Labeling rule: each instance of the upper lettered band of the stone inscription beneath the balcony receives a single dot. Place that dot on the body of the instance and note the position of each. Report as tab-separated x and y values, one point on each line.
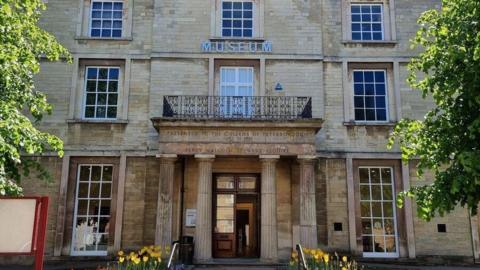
237	136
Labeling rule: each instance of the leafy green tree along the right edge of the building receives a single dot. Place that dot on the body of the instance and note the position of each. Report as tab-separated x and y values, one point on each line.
447	140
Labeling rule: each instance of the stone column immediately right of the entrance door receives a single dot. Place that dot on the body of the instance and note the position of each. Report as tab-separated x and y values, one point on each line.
269	237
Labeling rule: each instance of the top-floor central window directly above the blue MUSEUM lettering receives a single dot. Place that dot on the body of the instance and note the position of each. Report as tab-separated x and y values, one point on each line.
237	19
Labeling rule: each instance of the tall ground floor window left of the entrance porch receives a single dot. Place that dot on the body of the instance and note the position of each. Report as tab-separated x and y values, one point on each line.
93	197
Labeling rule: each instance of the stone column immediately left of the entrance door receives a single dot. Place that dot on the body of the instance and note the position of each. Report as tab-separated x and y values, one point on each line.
203	229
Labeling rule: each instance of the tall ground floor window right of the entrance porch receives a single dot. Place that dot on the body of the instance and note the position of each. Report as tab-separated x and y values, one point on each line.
378	217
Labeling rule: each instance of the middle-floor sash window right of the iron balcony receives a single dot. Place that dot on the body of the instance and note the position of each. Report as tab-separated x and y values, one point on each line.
370	95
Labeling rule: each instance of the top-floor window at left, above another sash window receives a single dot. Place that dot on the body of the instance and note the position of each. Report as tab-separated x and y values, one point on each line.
106	19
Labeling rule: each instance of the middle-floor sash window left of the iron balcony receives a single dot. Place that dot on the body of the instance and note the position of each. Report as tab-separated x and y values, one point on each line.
101	92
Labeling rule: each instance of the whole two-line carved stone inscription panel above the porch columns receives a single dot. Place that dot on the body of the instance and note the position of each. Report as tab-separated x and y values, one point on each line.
237	141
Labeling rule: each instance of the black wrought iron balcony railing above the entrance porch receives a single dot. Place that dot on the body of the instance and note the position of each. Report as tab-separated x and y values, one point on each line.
238	107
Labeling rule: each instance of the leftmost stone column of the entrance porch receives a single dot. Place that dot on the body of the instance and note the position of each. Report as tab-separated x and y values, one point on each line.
163	230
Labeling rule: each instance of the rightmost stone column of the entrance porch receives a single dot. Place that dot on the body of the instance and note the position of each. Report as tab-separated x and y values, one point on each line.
308	214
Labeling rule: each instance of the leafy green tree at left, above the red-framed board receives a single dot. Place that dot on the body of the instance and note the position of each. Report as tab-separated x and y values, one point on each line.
22	45
